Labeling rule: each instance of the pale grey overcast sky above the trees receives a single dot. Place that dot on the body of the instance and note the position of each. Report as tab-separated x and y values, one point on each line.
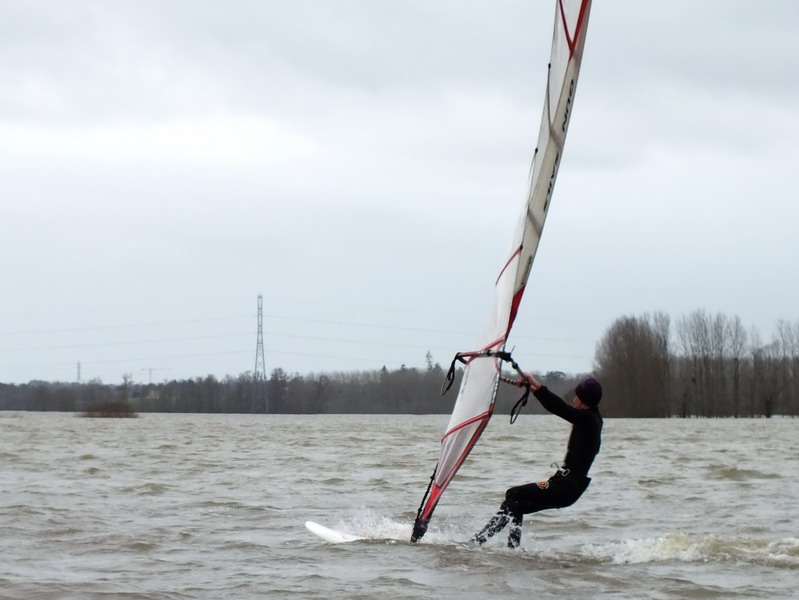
362	164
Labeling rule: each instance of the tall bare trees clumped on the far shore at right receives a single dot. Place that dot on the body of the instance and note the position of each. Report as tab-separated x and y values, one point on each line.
706	365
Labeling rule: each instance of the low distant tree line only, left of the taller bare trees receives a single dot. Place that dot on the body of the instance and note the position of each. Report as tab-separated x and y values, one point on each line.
399	391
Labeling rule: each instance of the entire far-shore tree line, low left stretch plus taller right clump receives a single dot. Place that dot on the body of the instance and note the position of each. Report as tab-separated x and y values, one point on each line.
704	365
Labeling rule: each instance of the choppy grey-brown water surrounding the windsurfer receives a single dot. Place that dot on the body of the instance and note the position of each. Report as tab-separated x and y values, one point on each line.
213	506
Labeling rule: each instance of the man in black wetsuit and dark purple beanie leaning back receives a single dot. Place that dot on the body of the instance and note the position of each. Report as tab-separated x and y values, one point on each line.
570	480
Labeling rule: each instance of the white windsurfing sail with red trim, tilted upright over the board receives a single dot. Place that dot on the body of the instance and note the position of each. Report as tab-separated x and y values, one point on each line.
481	375
